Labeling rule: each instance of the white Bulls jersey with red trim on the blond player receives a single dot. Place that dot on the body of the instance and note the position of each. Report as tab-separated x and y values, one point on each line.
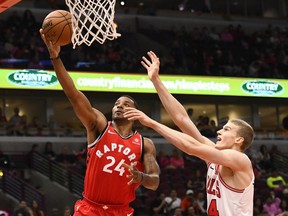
223	200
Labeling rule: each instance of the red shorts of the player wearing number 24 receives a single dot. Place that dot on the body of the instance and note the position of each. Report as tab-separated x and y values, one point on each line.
85	208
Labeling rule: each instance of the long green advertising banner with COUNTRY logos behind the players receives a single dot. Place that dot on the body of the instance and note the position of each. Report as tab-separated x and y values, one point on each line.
113	82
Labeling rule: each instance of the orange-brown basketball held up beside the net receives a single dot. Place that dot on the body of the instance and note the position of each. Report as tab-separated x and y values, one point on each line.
57	27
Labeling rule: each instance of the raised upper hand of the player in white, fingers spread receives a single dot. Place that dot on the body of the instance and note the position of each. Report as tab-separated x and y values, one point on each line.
152	65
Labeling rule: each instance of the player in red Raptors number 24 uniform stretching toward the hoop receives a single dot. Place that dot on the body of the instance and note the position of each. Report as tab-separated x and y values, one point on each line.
112	147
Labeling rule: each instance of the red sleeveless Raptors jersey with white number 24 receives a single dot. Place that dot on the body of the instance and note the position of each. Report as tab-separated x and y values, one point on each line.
105	180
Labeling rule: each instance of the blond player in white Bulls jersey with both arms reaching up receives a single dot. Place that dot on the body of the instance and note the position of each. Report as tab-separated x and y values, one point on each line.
230	178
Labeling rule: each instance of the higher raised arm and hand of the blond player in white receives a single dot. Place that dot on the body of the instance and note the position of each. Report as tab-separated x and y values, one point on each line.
174	108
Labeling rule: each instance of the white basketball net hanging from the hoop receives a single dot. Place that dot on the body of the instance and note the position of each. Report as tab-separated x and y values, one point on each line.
92	20
